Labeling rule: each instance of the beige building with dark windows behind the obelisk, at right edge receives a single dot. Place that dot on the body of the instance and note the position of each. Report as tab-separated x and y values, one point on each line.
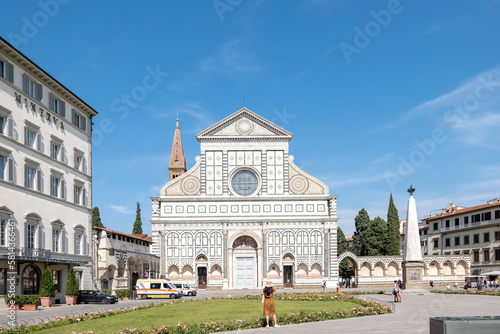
473	231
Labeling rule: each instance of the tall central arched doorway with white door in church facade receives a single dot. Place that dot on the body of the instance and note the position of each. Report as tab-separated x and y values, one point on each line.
245	258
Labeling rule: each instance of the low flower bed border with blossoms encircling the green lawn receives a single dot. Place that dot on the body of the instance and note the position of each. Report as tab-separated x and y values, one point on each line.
365	308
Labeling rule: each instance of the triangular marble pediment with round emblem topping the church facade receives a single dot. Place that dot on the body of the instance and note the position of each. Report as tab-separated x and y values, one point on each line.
244	124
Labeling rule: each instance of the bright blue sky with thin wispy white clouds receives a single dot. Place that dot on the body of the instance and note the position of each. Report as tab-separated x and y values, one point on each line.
379	95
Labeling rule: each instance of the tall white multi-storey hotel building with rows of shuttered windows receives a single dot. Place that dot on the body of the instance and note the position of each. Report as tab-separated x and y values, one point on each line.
45	177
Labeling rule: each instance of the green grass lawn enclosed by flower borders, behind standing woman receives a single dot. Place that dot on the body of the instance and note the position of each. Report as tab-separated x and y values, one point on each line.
197	311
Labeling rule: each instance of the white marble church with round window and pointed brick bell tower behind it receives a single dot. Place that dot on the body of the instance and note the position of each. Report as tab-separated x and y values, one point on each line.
244	213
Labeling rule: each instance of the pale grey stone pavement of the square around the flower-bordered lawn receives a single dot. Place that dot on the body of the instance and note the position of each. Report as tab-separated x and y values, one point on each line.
411	316
